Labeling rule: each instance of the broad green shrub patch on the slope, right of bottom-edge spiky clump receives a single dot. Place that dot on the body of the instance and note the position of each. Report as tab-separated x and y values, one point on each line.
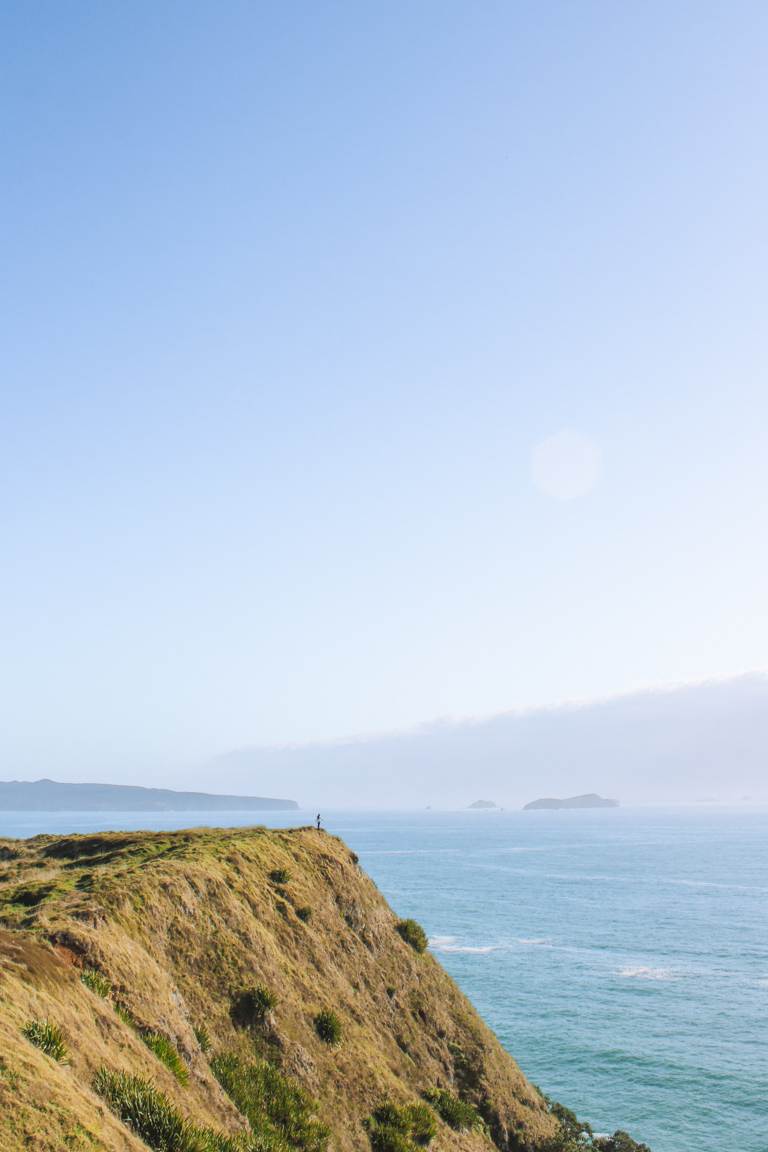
273	1104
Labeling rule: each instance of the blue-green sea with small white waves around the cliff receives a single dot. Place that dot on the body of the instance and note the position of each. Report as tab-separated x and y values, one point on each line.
621	956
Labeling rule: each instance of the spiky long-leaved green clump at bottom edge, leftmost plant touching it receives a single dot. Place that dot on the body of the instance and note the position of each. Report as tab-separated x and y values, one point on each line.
156	1120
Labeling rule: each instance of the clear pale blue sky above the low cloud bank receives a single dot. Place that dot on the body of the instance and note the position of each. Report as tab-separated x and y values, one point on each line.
368	363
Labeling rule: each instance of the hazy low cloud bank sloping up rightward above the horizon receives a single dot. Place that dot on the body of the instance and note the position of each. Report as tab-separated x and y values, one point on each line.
699	742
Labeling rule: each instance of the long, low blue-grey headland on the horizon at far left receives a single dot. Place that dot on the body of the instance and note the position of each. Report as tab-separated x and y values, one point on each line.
54	797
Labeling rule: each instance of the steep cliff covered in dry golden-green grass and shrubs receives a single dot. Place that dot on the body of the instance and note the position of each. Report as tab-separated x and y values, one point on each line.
235	991
